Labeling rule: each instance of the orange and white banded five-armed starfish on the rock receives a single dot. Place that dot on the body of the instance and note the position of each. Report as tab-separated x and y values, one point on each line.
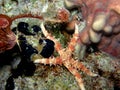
65	57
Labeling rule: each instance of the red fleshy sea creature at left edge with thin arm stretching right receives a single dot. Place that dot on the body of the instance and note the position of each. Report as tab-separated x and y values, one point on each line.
8	38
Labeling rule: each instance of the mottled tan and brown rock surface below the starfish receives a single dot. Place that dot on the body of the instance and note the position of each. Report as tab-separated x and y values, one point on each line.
59	78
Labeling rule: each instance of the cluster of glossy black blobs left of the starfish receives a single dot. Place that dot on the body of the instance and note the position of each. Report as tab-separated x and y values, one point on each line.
25	51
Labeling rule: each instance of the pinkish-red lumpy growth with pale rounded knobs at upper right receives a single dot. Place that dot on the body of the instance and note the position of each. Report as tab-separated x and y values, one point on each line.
102	20
